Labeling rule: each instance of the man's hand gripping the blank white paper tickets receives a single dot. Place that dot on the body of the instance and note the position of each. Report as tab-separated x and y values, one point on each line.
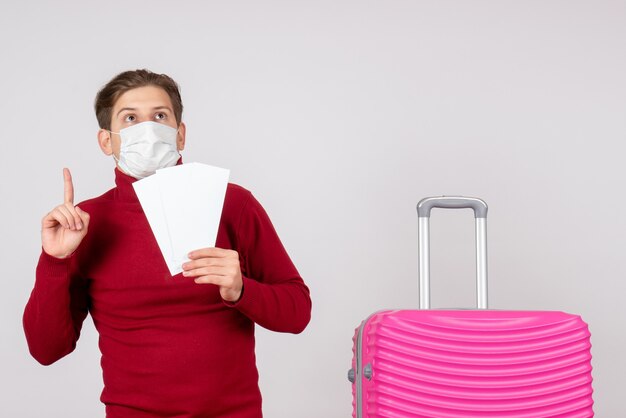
219	267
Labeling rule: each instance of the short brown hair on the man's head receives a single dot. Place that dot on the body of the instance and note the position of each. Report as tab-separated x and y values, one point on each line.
128	80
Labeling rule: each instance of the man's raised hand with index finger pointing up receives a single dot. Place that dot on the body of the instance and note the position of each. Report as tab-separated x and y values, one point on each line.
65	226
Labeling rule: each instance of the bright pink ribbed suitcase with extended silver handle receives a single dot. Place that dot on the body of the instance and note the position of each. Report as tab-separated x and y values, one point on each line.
470	363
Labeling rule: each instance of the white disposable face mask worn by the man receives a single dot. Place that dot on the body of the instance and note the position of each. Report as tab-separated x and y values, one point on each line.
147	147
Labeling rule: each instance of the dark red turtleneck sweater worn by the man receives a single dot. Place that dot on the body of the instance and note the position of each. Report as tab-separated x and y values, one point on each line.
170	347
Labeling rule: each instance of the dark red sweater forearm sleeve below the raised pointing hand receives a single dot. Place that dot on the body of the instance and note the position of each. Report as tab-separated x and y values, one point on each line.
56	309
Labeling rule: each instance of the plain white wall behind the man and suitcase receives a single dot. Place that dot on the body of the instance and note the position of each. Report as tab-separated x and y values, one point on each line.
340	116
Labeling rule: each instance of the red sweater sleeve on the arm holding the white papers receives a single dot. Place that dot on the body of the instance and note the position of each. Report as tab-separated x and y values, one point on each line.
274	294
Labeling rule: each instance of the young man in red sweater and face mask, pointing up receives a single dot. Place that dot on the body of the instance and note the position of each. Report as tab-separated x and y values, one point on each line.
179	346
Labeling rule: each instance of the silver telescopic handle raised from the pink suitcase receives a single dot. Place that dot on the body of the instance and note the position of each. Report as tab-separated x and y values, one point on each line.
423	230
